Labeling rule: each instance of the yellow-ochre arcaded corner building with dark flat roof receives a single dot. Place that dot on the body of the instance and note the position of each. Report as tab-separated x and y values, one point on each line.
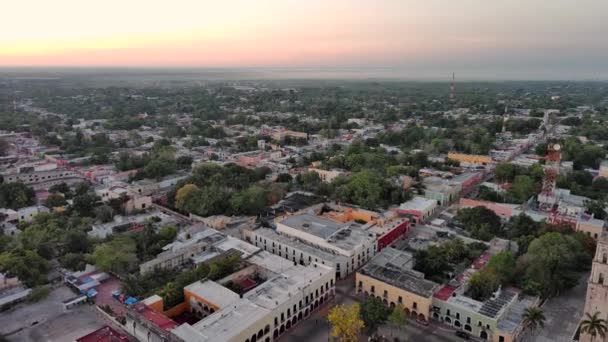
389	277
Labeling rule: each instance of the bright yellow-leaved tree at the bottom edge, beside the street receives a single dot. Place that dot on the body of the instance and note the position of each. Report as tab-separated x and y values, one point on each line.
346	322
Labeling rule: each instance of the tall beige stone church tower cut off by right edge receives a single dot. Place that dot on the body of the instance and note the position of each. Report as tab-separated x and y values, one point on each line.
597	288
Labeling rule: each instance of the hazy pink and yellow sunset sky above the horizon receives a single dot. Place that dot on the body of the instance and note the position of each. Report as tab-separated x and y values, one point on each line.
479	38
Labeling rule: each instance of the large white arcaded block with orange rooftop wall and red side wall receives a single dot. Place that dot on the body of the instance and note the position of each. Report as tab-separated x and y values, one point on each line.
325	230
